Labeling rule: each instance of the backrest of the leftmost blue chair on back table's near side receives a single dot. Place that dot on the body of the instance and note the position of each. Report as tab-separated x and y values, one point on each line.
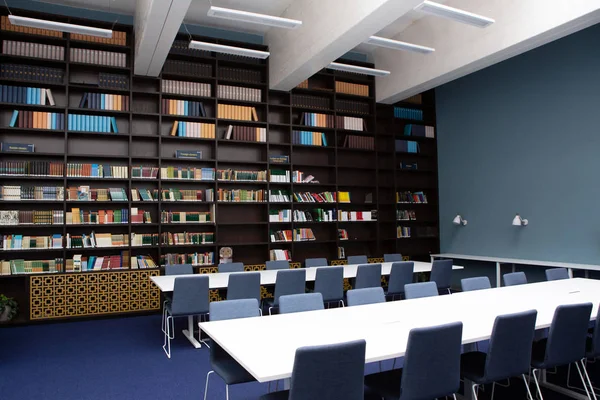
190	295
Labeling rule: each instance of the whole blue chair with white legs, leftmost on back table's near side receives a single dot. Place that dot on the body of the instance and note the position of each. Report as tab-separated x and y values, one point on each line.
190	298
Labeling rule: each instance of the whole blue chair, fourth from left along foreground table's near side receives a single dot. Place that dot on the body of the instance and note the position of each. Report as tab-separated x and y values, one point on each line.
566	343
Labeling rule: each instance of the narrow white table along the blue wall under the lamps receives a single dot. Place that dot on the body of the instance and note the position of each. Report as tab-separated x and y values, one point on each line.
515	261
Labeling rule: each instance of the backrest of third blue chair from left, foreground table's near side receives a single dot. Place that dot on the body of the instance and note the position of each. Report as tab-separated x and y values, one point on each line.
509	353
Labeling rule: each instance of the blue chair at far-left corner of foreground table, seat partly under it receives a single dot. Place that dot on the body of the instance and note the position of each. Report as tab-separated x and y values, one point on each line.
221	362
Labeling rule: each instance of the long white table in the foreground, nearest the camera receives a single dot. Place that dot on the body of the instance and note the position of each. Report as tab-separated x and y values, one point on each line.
267	346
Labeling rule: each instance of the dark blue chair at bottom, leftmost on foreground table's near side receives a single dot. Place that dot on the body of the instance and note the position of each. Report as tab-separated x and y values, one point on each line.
330	372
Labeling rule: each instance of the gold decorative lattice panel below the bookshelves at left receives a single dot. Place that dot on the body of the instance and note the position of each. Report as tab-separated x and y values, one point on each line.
92	294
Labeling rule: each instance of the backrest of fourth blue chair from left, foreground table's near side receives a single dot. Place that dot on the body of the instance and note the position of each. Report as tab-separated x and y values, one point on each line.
568	334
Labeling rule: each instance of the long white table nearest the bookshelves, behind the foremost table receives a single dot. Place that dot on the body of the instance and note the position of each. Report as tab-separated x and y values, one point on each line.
220	281
